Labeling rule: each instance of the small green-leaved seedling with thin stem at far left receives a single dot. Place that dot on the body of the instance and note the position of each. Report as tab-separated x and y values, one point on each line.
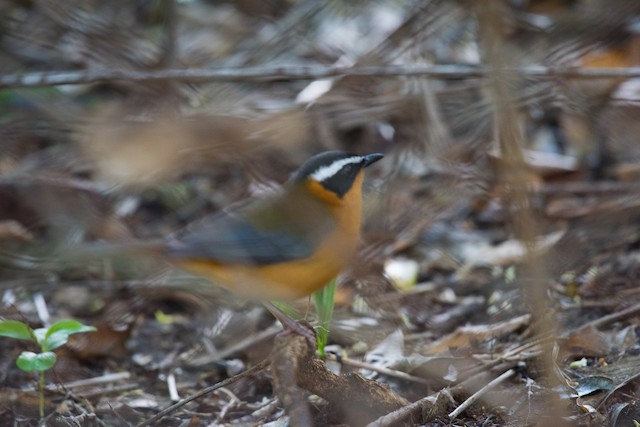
48	339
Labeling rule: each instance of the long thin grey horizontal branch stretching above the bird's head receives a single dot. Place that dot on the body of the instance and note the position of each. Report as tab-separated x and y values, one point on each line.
444	72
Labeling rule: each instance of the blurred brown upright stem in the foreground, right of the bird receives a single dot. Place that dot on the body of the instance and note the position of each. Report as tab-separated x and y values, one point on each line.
510	137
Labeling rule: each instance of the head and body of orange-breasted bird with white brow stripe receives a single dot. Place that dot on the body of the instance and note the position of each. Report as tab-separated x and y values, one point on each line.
286	245
